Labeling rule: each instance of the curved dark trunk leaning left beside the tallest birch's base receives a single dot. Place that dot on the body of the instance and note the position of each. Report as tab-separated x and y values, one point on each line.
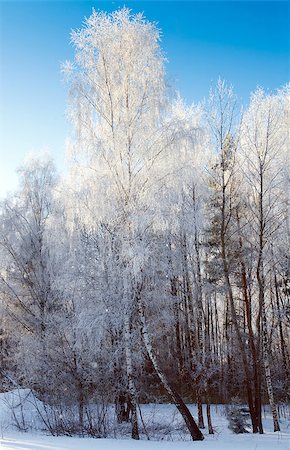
195	432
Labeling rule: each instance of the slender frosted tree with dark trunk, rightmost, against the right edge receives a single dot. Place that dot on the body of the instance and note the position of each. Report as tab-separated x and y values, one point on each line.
263	141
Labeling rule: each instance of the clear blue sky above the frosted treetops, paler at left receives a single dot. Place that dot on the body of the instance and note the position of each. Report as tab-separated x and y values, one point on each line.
245	42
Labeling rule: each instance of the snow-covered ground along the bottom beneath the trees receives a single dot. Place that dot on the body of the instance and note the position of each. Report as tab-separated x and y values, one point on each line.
156	417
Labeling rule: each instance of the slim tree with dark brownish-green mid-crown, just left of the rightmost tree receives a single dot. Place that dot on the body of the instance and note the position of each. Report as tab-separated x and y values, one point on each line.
224	244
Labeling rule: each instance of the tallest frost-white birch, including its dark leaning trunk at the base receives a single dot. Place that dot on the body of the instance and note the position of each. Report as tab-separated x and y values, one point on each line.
123	135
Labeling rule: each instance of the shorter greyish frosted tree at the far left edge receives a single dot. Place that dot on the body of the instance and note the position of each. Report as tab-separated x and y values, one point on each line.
27	274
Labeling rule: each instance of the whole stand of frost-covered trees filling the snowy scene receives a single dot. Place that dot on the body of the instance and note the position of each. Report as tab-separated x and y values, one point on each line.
156	269
